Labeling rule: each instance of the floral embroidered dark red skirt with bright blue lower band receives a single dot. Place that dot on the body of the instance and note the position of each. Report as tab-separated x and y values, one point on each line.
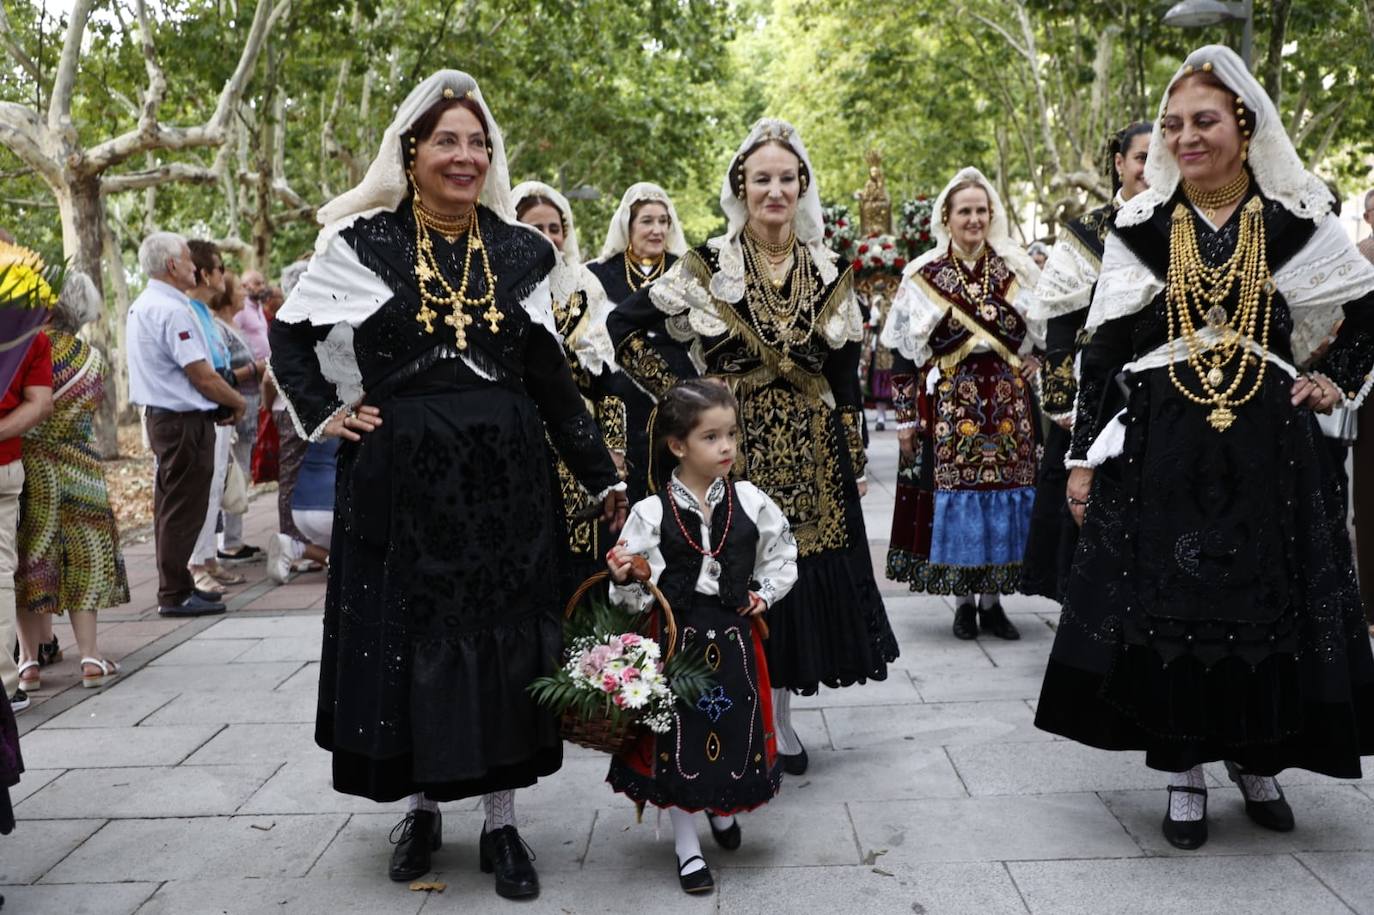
965	497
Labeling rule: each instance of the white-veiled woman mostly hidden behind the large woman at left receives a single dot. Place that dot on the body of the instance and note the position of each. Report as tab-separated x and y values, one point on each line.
581	308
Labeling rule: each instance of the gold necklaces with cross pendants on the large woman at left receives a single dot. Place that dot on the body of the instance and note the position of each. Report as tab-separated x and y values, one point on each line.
436	292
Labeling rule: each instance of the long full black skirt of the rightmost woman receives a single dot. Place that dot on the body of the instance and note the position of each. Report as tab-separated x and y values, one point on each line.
1213	611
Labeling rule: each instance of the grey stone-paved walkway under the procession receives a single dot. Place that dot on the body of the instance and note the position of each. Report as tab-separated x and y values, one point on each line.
193	785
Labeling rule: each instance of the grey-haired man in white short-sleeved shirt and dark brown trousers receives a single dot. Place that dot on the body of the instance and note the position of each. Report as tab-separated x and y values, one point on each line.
172	377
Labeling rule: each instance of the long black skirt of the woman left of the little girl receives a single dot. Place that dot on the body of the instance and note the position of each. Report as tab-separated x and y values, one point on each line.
442	608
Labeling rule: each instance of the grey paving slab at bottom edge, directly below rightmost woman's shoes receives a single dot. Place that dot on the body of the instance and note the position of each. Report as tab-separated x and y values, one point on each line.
1273	885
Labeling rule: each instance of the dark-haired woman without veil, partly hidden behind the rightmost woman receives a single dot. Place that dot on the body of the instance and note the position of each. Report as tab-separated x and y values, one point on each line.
1061	302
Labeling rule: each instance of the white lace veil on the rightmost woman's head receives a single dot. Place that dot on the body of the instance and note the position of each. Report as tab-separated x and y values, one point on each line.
1273	160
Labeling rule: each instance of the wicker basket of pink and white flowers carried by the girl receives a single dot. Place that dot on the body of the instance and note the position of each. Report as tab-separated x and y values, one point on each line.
615	681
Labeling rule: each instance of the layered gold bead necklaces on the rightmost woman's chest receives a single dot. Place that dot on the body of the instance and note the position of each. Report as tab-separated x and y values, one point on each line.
1196	296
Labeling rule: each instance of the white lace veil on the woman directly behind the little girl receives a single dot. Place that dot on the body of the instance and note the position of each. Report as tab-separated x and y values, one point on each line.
729	282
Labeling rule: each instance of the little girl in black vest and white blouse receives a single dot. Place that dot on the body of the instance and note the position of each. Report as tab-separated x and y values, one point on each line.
722	553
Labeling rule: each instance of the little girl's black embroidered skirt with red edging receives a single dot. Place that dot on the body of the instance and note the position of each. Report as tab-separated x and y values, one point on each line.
721	755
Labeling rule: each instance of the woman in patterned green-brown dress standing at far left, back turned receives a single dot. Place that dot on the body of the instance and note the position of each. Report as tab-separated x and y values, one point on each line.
69	543
